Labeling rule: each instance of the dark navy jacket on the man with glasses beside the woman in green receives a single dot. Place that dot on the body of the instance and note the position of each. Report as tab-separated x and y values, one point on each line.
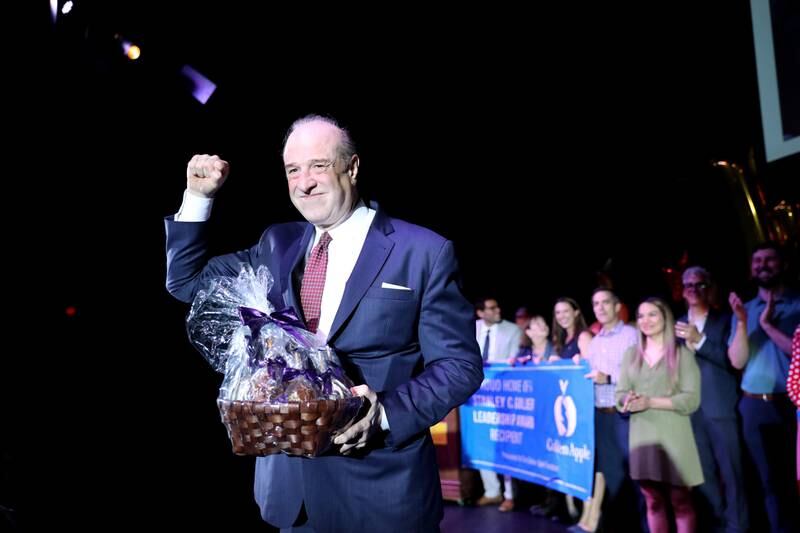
720	390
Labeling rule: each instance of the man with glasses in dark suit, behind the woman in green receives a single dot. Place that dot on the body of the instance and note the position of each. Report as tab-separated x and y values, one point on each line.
715	424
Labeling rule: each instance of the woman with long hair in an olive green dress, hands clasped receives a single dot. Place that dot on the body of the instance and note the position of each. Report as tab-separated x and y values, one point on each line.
660	385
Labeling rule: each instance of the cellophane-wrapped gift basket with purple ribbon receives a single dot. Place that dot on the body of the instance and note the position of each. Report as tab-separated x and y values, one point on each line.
283	390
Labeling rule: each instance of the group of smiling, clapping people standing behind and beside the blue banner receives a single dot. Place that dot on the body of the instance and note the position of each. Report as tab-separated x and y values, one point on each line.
675	400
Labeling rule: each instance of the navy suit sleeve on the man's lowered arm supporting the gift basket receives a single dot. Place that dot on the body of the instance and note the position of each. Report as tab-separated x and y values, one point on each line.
453	366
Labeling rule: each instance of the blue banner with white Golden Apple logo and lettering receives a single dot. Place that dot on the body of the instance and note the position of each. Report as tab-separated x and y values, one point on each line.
533	422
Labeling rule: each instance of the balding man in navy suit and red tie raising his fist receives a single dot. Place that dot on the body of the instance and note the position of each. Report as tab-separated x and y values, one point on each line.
392	309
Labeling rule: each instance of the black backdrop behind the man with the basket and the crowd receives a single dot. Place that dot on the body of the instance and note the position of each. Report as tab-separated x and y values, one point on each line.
542	144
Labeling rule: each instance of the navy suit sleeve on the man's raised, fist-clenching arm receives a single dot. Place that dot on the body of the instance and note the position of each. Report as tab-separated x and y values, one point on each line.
188	263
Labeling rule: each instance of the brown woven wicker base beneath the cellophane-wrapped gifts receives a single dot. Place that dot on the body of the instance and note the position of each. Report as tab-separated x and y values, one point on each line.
295	428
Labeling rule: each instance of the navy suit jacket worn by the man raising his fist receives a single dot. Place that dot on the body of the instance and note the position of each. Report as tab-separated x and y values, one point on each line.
415	348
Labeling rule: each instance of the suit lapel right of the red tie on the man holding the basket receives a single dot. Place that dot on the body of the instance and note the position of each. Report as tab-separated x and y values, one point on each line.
370	261
